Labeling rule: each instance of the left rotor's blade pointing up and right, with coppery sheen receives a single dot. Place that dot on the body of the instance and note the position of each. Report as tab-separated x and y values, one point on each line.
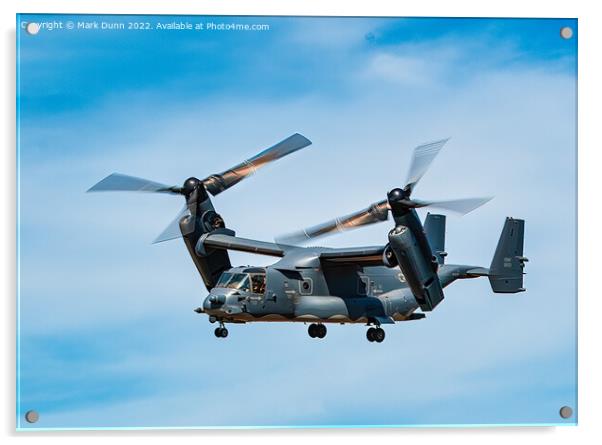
218	183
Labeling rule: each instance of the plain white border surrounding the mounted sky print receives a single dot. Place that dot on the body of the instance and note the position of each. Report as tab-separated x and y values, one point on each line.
590	30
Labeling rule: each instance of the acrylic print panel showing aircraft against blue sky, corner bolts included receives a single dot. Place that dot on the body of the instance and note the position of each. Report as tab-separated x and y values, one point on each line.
108	335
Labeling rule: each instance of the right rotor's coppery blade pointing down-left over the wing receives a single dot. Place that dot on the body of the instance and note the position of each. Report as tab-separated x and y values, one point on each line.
375	213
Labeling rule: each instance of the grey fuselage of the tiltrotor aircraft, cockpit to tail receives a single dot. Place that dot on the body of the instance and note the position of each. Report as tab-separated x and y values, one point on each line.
300	288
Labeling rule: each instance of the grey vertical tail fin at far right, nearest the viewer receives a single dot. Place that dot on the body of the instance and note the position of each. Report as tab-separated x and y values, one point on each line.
506	270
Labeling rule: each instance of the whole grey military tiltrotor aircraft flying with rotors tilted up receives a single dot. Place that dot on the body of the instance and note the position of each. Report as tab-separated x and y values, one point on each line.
318	285
